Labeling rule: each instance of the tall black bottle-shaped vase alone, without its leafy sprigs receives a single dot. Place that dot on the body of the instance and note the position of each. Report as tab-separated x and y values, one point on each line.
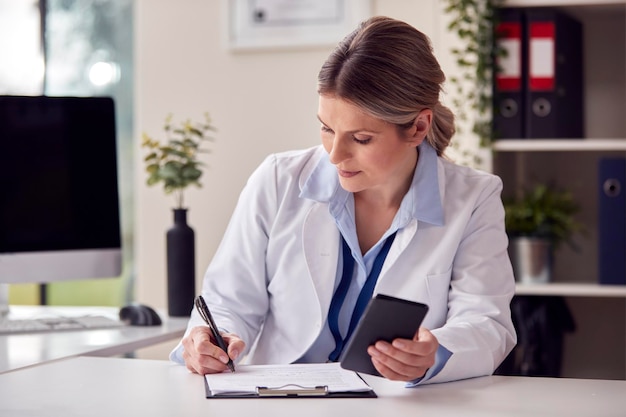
181	264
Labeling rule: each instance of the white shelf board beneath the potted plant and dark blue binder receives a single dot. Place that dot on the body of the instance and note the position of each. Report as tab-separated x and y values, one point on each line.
572	290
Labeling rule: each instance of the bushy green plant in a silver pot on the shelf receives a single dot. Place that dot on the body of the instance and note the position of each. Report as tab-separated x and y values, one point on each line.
537	223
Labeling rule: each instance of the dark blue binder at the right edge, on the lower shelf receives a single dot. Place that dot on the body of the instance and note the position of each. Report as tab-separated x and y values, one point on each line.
612	221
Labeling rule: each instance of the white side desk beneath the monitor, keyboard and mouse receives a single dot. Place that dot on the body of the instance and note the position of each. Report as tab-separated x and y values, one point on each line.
21	350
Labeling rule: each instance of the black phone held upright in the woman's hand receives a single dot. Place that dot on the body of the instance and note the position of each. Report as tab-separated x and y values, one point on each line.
384	318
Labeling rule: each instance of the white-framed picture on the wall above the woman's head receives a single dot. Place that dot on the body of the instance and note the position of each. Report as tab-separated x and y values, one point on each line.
254	24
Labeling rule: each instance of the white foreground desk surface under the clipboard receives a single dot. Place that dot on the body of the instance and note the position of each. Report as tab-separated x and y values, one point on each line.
91	386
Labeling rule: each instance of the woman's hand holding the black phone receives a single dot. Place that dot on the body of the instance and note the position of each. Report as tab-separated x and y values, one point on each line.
405	359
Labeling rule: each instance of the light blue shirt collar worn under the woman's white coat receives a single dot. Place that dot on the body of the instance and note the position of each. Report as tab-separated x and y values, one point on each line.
423	200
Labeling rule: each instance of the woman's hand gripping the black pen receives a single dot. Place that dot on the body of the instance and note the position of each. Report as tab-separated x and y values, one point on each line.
202	355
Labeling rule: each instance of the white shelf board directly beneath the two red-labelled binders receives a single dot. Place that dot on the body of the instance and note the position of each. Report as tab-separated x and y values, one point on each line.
560	145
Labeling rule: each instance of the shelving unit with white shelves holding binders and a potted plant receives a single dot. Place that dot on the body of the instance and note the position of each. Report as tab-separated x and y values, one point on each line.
597	349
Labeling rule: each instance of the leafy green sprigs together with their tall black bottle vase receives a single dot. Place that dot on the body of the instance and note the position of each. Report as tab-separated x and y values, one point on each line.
175	164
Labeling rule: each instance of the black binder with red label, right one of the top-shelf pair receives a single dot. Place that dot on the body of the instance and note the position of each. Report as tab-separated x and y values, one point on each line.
554	83
